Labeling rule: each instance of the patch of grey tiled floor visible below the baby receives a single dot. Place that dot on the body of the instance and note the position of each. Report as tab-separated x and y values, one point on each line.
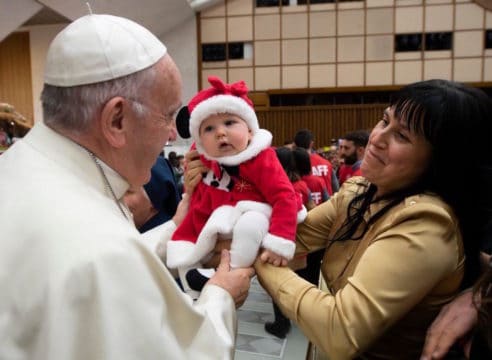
253	342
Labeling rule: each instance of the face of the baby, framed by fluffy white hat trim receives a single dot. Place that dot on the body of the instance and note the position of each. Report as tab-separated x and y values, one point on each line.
224	135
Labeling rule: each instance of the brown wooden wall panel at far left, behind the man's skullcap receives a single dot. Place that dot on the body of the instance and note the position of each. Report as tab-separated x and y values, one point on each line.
15	73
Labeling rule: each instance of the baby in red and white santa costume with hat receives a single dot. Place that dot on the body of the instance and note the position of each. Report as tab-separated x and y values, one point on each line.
245	196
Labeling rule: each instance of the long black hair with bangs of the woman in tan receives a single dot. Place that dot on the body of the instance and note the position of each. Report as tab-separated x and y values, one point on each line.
456	120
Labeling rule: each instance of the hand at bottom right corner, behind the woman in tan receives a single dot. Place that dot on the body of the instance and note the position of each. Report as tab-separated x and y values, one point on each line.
453	323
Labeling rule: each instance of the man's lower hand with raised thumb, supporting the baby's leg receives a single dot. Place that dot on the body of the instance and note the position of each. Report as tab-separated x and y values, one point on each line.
235	281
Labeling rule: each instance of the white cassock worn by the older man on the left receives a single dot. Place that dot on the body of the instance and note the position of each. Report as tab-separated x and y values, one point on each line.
77	280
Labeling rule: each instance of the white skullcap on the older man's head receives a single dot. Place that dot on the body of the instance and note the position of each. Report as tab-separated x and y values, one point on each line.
97	48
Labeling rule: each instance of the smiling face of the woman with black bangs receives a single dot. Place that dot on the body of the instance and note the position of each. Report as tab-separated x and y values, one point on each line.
395	157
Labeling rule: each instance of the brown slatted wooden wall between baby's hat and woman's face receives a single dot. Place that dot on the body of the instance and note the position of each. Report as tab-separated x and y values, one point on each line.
326	122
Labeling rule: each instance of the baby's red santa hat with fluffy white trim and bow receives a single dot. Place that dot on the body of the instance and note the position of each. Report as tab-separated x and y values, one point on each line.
222	98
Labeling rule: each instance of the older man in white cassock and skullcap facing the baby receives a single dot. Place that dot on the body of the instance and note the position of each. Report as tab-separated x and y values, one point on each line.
77	280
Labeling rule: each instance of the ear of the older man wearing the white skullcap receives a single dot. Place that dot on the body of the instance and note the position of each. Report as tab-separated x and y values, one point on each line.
113	121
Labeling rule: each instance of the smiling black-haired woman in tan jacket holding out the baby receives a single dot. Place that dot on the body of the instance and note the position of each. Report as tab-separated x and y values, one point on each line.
402	241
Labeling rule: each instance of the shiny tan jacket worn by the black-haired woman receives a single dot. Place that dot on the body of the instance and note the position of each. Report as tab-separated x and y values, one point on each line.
385	289
